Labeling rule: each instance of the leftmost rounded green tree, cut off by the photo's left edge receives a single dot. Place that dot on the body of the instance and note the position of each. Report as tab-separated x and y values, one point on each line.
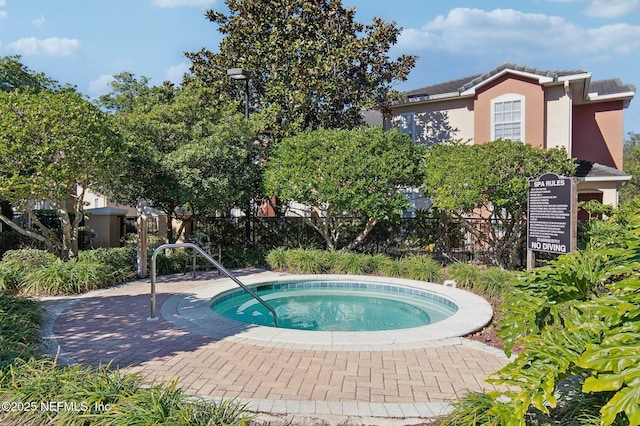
51	144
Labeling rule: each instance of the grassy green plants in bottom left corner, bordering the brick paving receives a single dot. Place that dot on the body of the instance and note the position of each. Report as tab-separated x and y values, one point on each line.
100	396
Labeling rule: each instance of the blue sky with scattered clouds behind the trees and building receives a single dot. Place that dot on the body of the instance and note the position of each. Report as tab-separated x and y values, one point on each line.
85	42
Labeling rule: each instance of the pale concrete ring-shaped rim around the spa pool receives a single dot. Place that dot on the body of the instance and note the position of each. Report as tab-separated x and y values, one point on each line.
190	311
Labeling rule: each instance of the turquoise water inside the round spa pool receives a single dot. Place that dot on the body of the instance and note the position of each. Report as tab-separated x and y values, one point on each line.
336	306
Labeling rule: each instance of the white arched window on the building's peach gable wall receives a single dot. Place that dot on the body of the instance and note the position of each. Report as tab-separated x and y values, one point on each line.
508	117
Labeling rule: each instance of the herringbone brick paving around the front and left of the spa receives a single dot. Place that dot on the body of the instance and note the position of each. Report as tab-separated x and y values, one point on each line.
377	386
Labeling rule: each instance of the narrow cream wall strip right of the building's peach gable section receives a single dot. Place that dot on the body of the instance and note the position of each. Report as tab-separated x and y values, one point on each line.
558	118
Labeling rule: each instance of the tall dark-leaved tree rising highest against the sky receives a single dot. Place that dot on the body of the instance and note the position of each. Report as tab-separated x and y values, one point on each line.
312	65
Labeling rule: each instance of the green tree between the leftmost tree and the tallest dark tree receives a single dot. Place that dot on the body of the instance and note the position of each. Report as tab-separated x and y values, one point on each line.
183	150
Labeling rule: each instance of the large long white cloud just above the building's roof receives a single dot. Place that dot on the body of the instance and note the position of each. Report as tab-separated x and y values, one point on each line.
508	34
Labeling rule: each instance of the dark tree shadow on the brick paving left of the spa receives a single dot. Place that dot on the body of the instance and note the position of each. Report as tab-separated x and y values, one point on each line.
114	328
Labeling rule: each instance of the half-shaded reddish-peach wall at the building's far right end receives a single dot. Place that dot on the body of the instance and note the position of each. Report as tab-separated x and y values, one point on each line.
598	133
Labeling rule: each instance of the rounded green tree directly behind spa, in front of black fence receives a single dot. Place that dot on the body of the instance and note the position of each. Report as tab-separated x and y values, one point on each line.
345	174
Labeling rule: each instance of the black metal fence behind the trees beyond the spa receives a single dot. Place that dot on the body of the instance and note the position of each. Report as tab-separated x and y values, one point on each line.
444	238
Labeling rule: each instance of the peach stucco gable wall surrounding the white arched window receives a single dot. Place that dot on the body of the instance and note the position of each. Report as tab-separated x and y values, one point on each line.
534	107
